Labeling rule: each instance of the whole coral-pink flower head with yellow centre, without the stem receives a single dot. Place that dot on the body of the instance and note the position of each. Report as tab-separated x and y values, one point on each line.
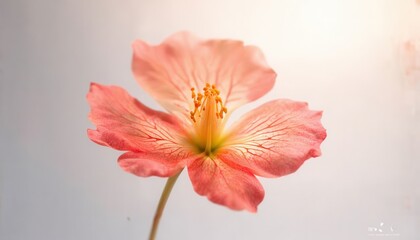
200	82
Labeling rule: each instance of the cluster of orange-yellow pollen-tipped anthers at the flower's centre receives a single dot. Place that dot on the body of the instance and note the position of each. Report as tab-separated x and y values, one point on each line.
200	100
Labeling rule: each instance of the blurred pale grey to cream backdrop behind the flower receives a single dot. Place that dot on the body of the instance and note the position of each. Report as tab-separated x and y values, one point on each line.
357	60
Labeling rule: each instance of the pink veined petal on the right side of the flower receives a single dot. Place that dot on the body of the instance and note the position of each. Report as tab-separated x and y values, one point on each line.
275	138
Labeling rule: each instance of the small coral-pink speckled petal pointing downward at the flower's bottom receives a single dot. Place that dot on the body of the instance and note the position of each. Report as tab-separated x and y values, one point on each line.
226	183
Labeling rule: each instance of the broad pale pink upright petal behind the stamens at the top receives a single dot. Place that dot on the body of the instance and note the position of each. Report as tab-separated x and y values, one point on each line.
169	70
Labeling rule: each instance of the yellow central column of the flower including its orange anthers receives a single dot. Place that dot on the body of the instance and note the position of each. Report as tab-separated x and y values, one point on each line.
207	118
